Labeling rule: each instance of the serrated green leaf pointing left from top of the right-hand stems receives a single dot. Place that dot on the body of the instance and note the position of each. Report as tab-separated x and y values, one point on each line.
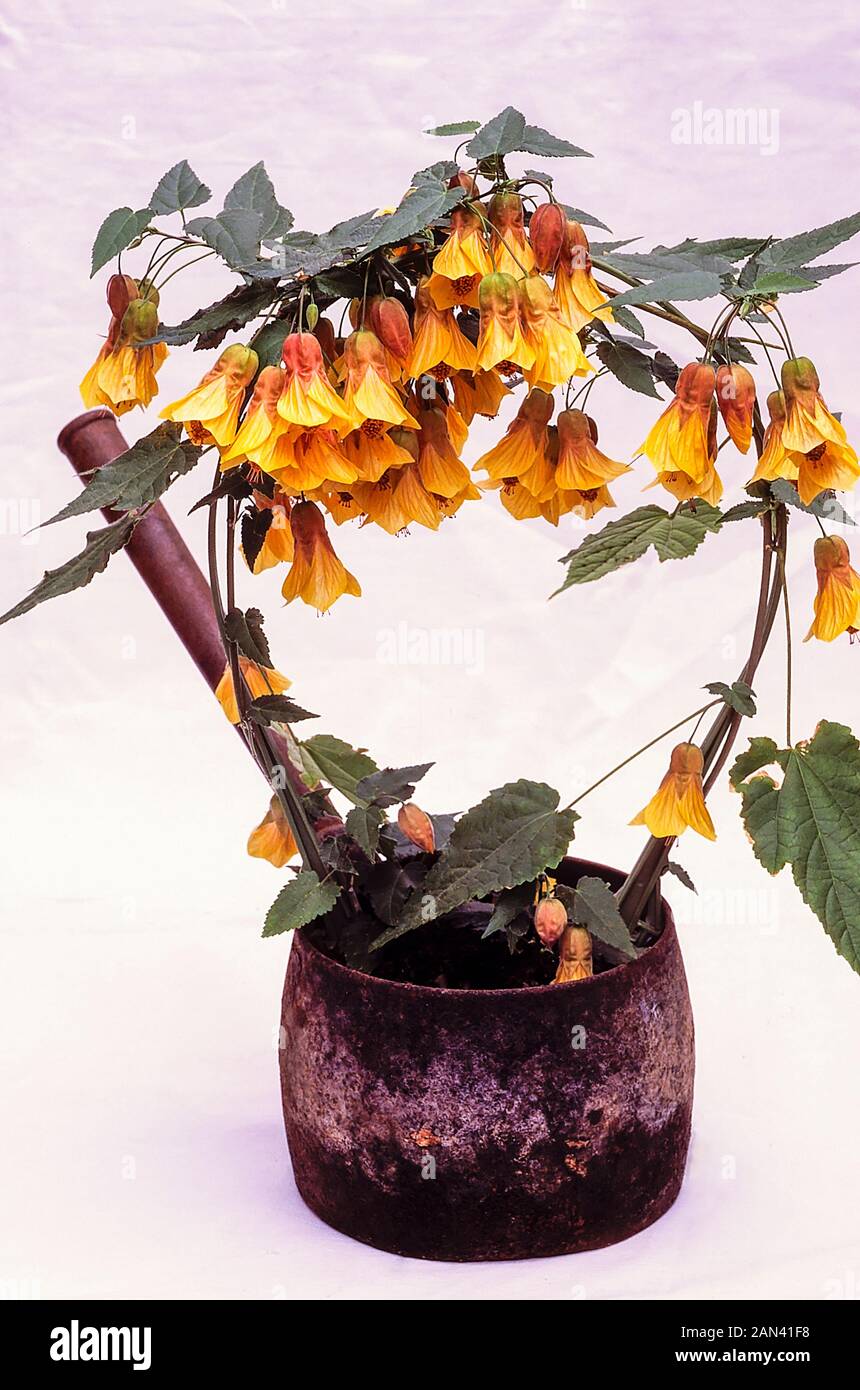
673	539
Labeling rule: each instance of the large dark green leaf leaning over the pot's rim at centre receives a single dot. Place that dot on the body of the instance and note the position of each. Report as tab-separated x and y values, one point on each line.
511	837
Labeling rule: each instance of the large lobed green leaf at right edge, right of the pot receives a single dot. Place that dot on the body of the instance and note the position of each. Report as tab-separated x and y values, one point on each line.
811	822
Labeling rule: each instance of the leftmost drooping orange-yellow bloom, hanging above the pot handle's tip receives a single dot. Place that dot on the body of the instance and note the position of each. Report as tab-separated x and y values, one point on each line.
124	375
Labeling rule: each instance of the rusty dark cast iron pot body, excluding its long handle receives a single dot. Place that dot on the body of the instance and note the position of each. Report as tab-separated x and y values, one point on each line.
490	1124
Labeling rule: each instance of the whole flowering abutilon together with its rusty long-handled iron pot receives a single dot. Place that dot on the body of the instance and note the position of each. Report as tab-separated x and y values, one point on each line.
487	1046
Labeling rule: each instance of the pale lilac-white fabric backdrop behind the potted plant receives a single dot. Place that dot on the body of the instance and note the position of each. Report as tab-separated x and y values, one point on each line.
144	1150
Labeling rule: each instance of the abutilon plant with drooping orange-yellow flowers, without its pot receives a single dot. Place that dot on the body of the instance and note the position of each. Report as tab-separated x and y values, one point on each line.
356	368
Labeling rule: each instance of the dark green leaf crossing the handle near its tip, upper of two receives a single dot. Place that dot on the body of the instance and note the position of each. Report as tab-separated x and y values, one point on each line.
138	476
